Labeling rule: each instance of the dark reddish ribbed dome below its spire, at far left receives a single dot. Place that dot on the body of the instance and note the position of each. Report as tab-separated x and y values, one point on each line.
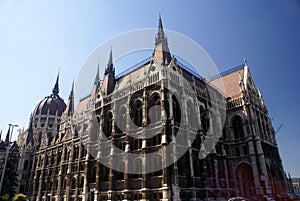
54	104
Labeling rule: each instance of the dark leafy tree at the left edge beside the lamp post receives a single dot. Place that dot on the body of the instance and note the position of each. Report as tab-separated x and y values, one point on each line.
10	177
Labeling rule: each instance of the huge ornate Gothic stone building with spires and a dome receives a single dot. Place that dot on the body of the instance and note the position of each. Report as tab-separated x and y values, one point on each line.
100	149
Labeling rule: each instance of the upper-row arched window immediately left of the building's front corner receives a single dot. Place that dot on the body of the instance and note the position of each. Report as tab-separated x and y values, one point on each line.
154	108
